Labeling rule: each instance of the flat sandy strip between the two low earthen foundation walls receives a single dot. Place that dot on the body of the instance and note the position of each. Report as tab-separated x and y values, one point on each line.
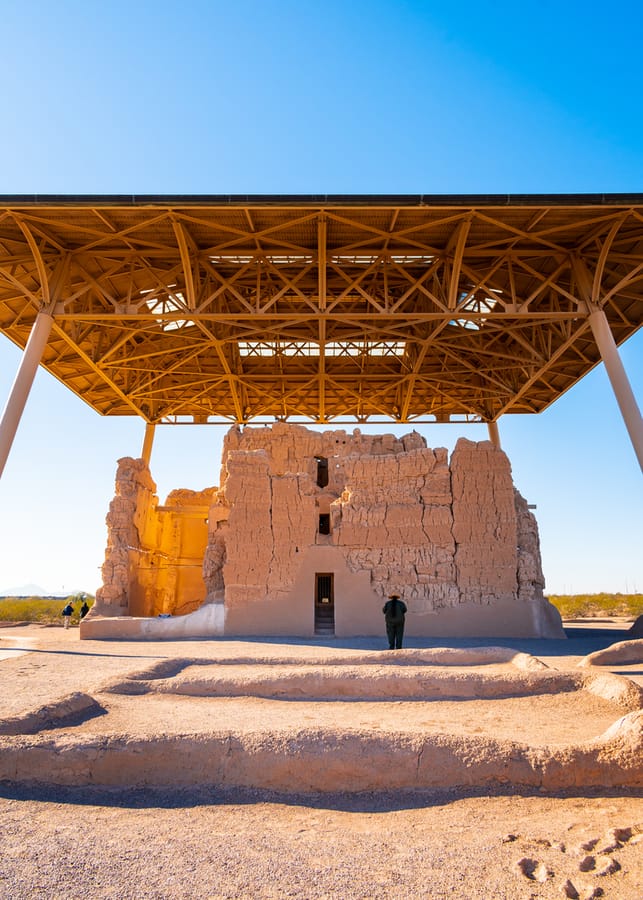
549	719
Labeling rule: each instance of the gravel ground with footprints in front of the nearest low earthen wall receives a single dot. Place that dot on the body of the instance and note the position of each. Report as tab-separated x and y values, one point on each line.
163	844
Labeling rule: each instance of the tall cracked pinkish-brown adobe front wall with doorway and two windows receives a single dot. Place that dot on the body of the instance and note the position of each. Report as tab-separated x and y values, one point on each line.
457	541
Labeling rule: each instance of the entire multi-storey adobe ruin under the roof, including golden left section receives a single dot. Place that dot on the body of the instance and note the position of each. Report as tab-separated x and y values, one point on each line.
310	531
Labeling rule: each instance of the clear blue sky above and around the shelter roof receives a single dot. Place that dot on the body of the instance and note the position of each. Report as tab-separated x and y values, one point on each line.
263	97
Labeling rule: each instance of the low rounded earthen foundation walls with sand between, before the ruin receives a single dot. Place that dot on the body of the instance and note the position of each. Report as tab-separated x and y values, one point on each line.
297	726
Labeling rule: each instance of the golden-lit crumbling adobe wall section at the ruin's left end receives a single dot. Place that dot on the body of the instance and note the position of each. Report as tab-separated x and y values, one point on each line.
154	556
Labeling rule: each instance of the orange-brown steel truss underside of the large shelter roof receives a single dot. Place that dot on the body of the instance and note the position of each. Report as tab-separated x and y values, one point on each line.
320	309
